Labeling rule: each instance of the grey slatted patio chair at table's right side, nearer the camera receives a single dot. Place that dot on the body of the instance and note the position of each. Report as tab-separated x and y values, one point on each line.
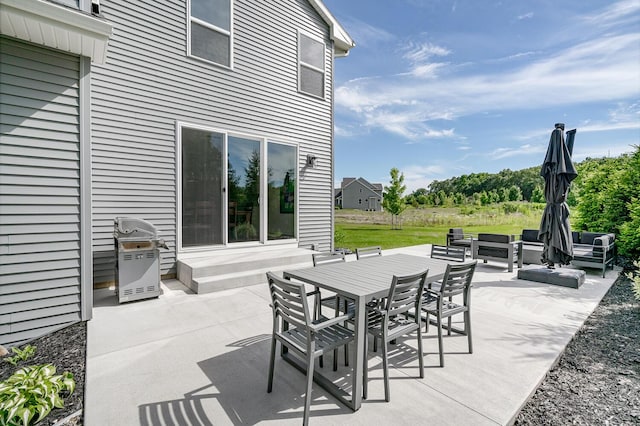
387	322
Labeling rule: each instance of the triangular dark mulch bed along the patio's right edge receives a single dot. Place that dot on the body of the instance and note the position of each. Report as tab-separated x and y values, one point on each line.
597	379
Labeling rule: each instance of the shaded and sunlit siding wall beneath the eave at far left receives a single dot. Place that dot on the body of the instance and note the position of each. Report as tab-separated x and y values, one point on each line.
40	191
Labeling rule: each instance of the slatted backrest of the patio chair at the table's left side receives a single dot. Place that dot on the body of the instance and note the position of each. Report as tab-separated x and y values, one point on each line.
288	301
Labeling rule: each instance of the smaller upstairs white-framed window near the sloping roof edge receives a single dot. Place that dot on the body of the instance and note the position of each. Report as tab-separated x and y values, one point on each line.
311	54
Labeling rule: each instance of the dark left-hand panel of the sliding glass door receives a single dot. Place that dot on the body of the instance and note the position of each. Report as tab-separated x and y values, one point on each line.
202	188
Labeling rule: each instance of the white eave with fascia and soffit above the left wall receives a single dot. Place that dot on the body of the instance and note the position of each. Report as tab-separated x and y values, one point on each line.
55	26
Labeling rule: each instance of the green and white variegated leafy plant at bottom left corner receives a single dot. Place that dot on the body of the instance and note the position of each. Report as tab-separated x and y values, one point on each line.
32	391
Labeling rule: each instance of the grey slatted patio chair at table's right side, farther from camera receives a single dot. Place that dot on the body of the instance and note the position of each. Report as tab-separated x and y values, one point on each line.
438	301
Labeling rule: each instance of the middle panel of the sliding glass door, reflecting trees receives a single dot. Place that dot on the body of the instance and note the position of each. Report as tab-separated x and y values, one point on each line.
243	175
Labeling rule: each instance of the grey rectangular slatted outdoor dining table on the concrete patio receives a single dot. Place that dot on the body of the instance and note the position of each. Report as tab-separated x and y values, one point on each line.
360	281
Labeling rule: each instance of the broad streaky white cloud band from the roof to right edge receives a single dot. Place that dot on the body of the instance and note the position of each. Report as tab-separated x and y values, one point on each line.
603	69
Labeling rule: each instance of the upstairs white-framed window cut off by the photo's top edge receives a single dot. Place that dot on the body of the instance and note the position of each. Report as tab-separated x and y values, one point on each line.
210	30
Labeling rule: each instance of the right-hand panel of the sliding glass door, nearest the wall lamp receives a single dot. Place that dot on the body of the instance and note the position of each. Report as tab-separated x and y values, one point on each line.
282	185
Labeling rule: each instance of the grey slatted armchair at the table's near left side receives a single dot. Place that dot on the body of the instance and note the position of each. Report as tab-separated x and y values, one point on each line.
307	338
